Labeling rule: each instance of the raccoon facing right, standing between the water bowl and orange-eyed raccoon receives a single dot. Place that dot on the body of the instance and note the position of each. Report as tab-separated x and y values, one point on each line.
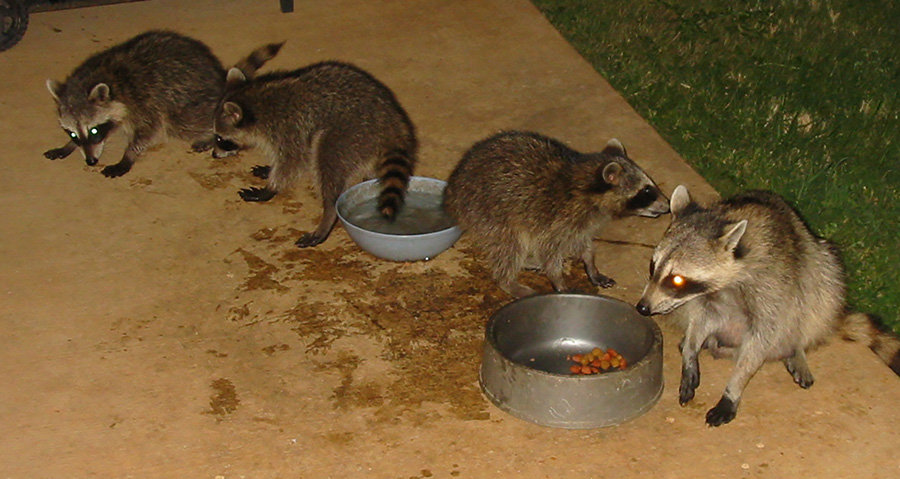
530	201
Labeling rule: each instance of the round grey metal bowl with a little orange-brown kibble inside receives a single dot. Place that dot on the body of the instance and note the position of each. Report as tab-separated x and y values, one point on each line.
525	371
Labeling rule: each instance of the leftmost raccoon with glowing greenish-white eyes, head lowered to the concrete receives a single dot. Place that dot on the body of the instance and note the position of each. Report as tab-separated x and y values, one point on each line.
157	84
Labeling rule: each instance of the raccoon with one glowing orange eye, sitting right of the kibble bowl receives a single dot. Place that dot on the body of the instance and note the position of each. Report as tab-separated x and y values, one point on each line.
747	279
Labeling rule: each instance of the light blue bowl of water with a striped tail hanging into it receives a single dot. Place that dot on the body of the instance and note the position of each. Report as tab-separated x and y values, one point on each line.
421	230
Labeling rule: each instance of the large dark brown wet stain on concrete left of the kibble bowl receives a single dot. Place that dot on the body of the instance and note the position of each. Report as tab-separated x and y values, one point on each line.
428	322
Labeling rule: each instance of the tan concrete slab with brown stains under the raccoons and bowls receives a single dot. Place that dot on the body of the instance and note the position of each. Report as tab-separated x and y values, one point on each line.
155	325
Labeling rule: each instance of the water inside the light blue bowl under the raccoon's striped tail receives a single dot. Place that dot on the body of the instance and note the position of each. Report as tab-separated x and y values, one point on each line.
421	213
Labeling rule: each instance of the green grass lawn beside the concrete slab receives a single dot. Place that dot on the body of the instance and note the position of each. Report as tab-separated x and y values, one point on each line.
799	97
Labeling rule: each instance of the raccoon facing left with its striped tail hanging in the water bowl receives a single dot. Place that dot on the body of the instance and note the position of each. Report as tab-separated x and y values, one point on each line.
332	120
